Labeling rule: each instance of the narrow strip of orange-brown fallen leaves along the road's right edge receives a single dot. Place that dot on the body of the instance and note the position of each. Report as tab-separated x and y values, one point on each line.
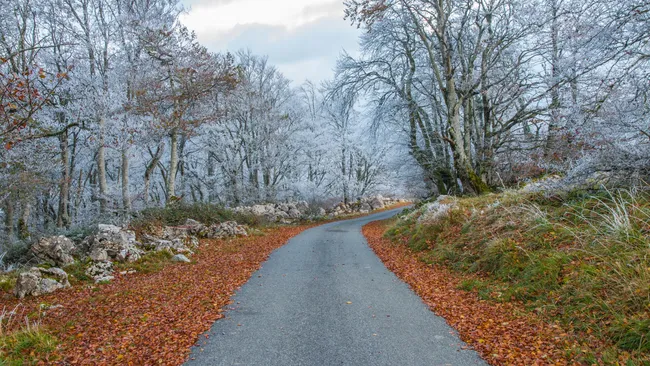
503	333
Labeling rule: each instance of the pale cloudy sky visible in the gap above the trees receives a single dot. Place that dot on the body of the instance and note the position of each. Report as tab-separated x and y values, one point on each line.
301	37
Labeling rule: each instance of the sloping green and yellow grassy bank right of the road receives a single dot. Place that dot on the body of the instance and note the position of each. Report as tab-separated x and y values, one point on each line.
582	258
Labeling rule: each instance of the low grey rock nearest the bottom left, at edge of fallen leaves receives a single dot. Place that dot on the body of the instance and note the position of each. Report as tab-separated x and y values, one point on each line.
40	281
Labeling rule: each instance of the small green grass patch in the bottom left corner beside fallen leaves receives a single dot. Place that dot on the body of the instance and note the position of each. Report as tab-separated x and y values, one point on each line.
20	344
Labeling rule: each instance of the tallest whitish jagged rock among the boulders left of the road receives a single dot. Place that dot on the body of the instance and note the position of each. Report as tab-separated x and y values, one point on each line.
112	243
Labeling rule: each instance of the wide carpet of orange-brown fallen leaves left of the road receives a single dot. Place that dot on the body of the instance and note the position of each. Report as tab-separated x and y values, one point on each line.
154	318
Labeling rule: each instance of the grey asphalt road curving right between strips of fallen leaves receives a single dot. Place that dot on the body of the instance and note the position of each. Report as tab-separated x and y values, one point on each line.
326	299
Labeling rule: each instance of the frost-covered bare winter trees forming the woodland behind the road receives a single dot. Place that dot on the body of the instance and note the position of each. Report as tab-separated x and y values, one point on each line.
111	106
